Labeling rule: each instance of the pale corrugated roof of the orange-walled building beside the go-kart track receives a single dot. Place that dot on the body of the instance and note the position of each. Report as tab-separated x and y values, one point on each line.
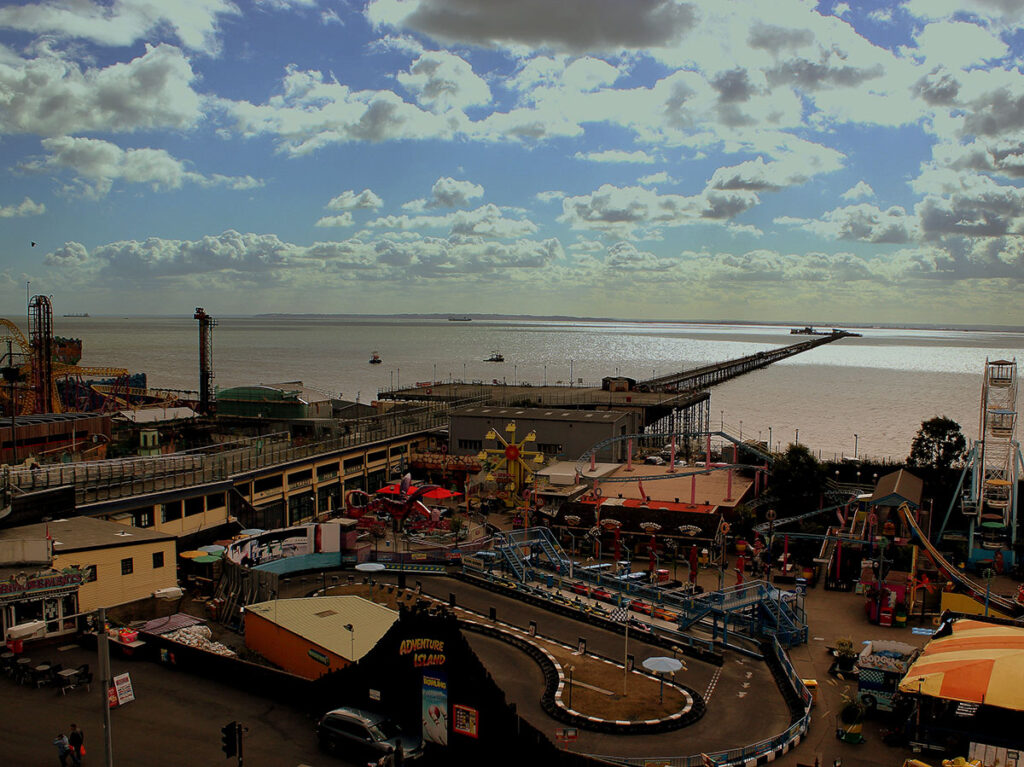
322	621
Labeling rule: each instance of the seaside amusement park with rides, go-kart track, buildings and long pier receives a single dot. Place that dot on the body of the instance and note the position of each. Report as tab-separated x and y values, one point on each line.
505	573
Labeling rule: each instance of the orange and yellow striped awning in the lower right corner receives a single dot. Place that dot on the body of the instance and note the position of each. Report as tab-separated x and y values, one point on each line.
977	662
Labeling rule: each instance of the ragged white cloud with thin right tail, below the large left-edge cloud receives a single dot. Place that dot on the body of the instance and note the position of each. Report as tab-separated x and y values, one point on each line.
98	164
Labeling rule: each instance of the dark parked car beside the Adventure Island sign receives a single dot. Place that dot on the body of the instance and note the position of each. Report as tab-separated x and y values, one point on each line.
364	736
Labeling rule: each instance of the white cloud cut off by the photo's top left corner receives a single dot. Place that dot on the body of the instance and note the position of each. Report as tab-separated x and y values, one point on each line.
123	23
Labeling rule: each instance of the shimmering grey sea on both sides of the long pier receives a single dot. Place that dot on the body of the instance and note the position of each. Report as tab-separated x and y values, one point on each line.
881	387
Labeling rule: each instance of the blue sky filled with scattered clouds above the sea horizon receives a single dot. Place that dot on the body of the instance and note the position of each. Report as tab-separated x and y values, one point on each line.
759	160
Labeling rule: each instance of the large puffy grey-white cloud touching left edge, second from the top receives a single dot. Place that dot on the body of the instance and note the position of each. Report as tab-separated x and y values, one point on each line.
51	96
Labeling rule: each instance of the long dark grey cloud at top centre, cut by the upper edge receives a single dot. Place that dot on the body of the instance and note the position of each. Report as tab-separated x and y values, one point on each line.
573	25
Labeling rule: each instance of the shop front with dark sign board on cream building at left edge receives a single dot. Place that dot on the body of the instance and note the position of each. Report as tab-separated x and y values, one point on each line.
50	596
